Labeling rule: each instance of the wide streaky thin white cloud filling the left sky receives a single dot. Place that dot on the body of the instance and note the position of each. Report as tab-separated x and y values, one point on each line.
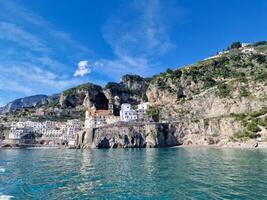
34	54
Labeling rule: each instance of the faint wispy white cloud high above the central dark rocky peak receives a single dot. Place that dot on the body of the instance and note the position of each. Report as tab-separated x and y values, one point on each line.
137	40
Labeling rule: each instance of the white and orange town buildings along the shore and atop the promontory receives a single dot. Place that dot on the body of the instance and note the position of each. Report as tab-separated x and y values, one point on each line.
67	130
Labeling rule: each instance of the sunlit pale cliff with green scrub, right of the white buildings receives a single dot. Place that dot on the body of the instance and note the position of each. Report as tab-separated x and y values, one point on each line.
219	91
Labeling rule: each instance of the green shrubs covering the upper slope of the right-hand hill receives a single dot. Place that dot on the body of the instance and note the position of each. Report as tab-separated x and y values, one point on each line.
233	66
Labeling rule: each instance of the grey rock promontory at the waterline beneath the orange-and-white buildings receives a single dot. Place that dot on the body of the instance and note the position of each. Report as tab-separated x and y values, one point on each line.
134	135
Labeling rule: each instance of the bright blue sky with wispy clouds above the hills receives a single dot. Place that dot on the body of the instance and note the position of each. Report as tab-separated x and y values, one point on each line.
47	46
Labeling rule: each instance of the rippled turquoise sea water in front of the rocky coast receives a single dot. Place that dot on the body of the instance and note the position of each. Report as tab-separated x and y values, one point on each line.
176	173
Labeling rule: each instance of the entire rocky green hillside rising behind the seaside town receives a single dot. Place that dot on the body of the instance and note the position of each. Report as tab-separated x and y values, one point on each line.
221	97
